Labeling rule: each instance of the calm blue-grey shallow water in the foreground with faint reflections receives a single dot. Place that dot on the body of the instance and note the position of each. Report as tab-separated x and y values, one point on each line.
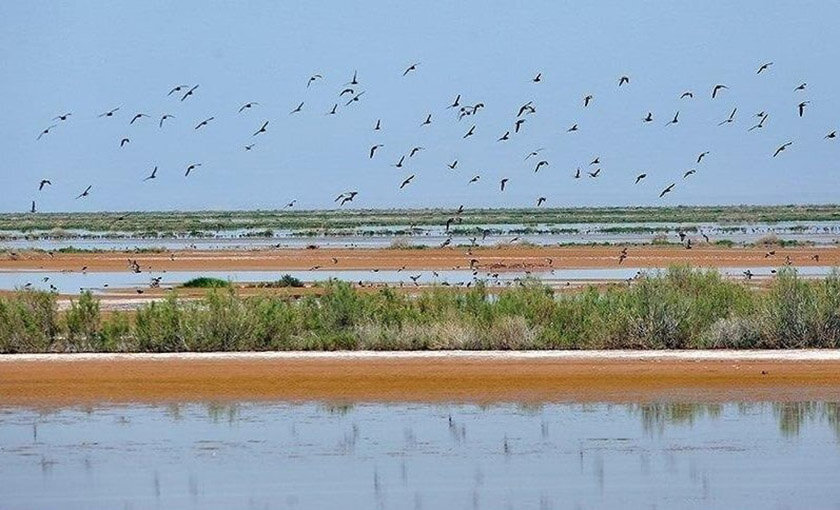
278	455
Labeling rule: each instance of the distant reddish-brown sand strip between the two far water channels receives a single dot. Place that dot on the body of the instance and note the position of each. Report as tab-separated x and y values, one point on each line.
504	258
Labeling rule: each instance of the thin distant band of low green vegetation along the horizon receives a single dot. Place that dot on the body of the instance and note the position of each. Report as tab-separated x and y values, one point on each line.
202	223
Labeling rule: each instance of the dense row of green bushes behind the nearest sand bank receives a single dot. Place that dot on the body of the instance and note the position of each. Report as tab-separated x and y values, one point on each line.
679	309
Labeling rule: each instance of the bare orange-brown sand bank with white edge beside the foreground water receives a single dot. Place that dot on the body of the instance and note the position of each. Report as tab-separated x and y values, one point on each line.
481	377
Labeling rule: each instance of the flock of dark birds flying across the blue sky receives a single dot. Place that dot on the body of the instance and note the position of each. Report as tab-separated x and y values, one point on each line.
352	93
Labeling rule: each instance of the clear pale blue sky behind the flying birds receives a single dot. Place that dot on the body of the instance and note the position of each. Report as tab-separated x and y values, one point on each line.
90	57
